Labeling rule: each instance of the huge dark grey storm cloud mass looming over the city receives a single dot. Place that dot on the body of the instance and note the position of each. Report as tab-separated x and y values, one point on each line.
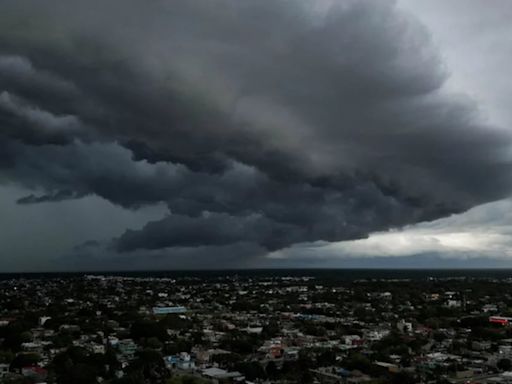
261	122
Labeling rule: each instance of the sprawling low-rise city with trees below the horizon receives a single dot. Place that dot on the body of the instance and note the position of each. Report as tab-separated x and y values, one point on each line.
255	328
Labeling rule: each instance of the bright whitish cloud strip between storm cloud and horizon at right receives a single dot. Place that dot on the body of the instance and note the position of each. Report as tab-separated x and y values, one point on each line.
480	237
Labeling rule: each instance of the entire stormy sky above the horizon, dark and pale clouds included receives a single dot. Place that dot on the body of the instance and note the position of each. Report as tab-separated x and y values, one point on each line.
255	134
